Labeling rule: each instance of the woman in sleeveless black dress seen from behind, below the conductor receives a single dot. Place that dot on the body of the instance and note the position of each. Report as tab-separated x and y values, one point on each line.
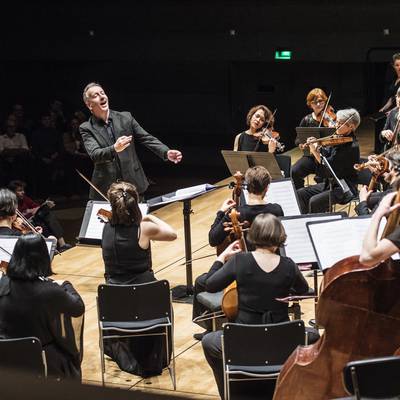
127	259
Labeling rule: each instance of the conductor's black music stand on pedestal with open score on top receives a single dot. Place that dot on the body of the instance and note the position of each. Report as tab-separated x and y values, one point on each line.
183	293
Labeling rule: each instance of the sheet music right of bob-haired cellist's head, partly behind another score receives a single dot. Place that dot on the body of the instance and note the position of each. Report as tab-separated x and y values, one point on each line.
298	244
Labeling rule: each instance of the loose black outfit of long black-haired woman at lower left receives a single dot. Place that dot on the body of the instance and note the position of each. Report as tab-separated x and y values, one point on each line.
52	313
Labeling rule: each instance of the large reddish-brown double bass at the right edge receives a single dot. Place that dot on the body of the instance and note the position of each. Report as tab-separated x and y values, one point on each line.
359	307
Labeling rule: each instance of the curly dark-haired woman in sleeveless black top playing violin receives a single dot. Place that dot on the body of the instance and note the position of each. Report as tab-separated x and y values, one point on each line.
252	139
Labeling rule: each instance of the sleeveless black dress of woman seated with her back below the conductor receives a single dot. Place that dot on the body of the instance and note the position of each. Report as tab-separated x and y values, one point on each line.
126	263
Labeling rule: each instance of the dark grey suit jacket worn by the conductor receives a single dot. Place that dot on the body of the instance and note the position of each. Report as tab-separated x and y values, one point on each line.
110	165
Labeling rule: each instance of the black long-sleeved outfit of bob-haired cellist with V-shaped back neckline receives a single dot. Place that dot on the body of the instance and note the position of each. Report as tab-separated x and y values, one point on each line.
257	291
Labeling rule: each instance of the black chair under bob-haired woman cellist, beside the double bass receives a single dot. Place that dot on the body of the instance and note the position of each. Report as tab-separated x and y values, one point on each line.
258	352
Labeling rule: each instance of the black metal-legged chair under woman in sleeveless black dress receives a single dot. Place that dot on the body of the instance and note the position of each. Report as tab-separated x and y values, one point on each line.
136	310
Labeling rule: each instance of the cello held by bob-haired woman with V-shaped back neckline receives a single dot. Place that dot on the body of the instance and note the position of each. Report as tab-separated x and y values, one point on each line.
230	301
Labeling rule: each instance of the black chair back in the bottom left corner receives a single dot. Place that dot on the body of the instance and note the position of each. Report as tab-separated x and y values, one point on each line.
23	354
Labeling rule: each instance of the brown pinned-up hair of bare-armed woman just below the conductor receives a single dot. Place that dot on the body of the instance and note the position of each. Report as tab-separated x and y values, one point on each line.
124	200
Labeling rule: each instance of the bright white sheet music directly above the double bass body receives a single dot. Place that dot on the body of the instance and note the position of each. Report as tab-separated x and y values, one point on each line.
336	240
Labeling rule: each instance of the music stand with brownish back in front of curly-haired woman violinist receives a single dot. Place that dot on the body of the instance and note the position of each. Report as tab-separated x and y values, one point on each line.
242	160
